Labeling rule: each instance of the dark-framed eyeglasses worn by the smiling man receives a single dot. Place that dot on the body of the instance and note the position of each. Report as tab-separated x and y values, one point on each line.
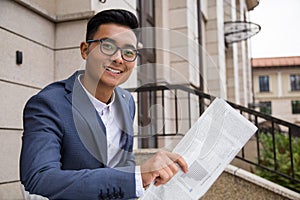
109	48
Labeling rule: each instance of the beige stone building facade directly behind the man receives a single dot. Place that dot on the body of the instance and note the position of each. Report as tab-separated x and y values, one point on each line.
183	44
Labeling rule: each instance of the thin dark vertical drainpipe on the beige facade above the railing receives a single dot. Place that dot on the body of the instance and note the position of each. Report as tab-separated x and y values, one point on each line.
201	82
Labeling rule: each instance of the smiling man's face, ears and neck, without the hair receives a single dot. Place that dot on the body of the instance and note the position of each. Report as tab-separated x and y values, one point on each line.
110	59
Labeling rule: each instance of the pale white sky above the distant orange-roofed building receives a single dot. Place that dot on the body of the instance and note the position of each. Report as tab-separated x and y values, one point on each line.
280	28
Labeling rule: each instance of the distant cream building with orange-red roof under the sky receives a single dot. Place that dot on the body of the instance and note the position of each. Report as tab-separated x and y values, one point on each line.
276	84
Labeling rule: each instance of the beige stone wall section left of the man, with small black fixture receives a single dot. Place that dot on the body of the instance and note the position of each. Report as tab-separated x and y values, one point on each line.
26	31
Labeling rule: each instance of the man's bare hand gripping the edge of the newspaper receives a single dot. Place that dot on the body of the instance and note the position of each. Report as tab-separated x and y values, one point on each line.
162	167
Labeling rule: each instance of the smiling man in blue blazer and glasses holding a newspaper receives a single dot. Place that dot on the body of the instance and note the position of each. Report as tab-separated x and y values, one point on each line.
78	133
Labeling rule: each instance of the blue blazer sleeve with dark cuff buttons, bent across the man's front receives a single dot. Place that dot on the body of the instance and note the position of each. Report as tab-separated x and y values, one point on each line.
40	165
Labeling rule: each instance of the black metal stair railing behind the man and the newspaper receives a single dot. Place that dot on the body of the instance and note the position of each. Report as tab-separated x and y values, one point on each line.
182	105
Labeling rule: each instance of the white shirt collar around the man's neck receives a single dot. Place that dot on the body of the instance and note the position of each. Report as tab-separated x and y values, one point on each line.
99	105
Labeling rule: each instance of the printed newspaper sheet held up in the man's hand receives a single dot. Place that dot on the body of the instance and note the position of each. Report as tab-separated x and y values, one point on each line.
208	147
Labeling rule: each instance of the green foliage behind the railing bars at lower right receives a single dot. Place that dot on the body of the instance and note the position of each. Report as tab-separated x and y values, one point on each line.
283	164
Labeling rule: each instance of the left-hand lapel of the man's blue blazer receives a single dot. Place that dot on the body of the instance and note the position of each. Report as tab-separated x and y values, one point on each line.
88	124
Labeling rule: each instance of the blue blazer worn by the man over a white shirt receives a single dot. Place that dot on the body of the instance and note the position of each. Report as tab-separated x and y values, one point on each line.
64	150
